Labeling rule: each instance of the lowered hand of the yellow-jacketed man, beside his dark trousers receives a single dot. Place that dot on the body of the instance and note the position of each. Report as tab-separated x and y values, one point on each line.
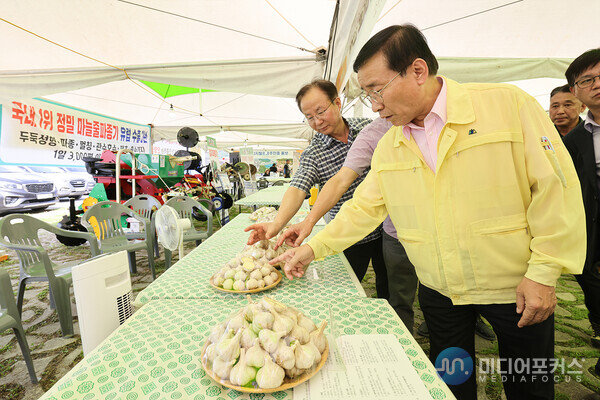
535	301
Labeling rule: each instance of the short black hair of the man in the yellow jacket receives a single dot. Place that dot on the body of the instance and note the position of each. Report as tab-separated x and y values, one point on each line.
401	45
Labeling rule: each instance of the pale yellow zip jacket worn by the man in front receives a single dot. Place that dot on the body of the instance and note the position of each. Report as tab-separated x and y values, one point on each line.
503	203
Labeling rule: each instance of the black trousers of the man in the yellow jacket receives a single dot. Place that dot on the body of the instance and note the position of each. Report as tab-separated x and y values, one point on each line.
453	326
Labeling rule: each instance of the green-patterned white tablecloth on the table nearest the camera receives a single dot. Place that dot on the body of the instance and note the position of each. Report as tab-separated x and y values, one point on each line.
155	354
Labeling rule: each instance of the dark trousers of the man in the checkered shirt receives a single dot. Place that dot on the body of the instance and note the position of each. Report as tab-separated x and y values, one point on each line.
359	256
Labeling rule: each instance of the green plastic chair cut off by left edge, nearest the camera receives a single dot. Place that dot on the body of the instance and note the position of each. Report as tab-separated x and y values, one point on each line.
10	318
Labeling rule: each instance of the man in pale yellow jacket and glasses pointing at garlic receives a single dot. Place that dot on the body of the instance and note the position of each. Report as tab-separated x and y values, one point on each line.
486	203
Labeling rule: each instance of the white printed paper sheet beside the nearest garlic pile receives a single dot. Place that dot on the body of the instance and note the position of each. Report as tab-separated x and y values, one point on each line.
364	367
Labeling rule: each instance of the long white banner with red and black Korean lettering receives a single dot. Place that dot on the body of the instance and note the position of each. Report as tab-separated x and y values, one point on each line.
47	133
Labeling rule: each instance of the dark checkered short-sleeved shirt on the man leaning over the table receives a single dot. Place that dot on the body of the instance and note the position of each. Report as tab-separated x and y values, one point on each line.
323	159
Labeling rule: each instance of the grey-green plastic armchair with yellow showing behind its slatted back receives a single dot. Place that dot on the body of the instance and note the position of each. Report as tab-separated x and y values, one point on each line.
105	219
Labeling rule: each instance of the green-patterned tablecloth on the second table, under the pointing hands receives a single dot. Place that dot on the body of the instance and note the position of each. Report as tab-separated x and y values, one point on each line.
189	277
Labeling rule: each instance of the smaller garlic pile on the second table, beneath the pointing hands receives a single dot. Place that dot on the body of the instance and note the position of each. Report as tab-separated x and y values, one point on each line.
245	272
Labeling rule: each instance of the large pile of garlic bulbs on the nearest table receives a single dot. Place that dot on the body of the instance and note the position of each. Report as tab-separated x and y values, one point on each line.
258	346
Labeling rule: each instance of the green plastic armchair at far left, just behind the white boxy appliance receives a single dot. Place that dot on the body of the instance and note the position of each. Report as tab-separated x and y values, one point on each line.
20	232
